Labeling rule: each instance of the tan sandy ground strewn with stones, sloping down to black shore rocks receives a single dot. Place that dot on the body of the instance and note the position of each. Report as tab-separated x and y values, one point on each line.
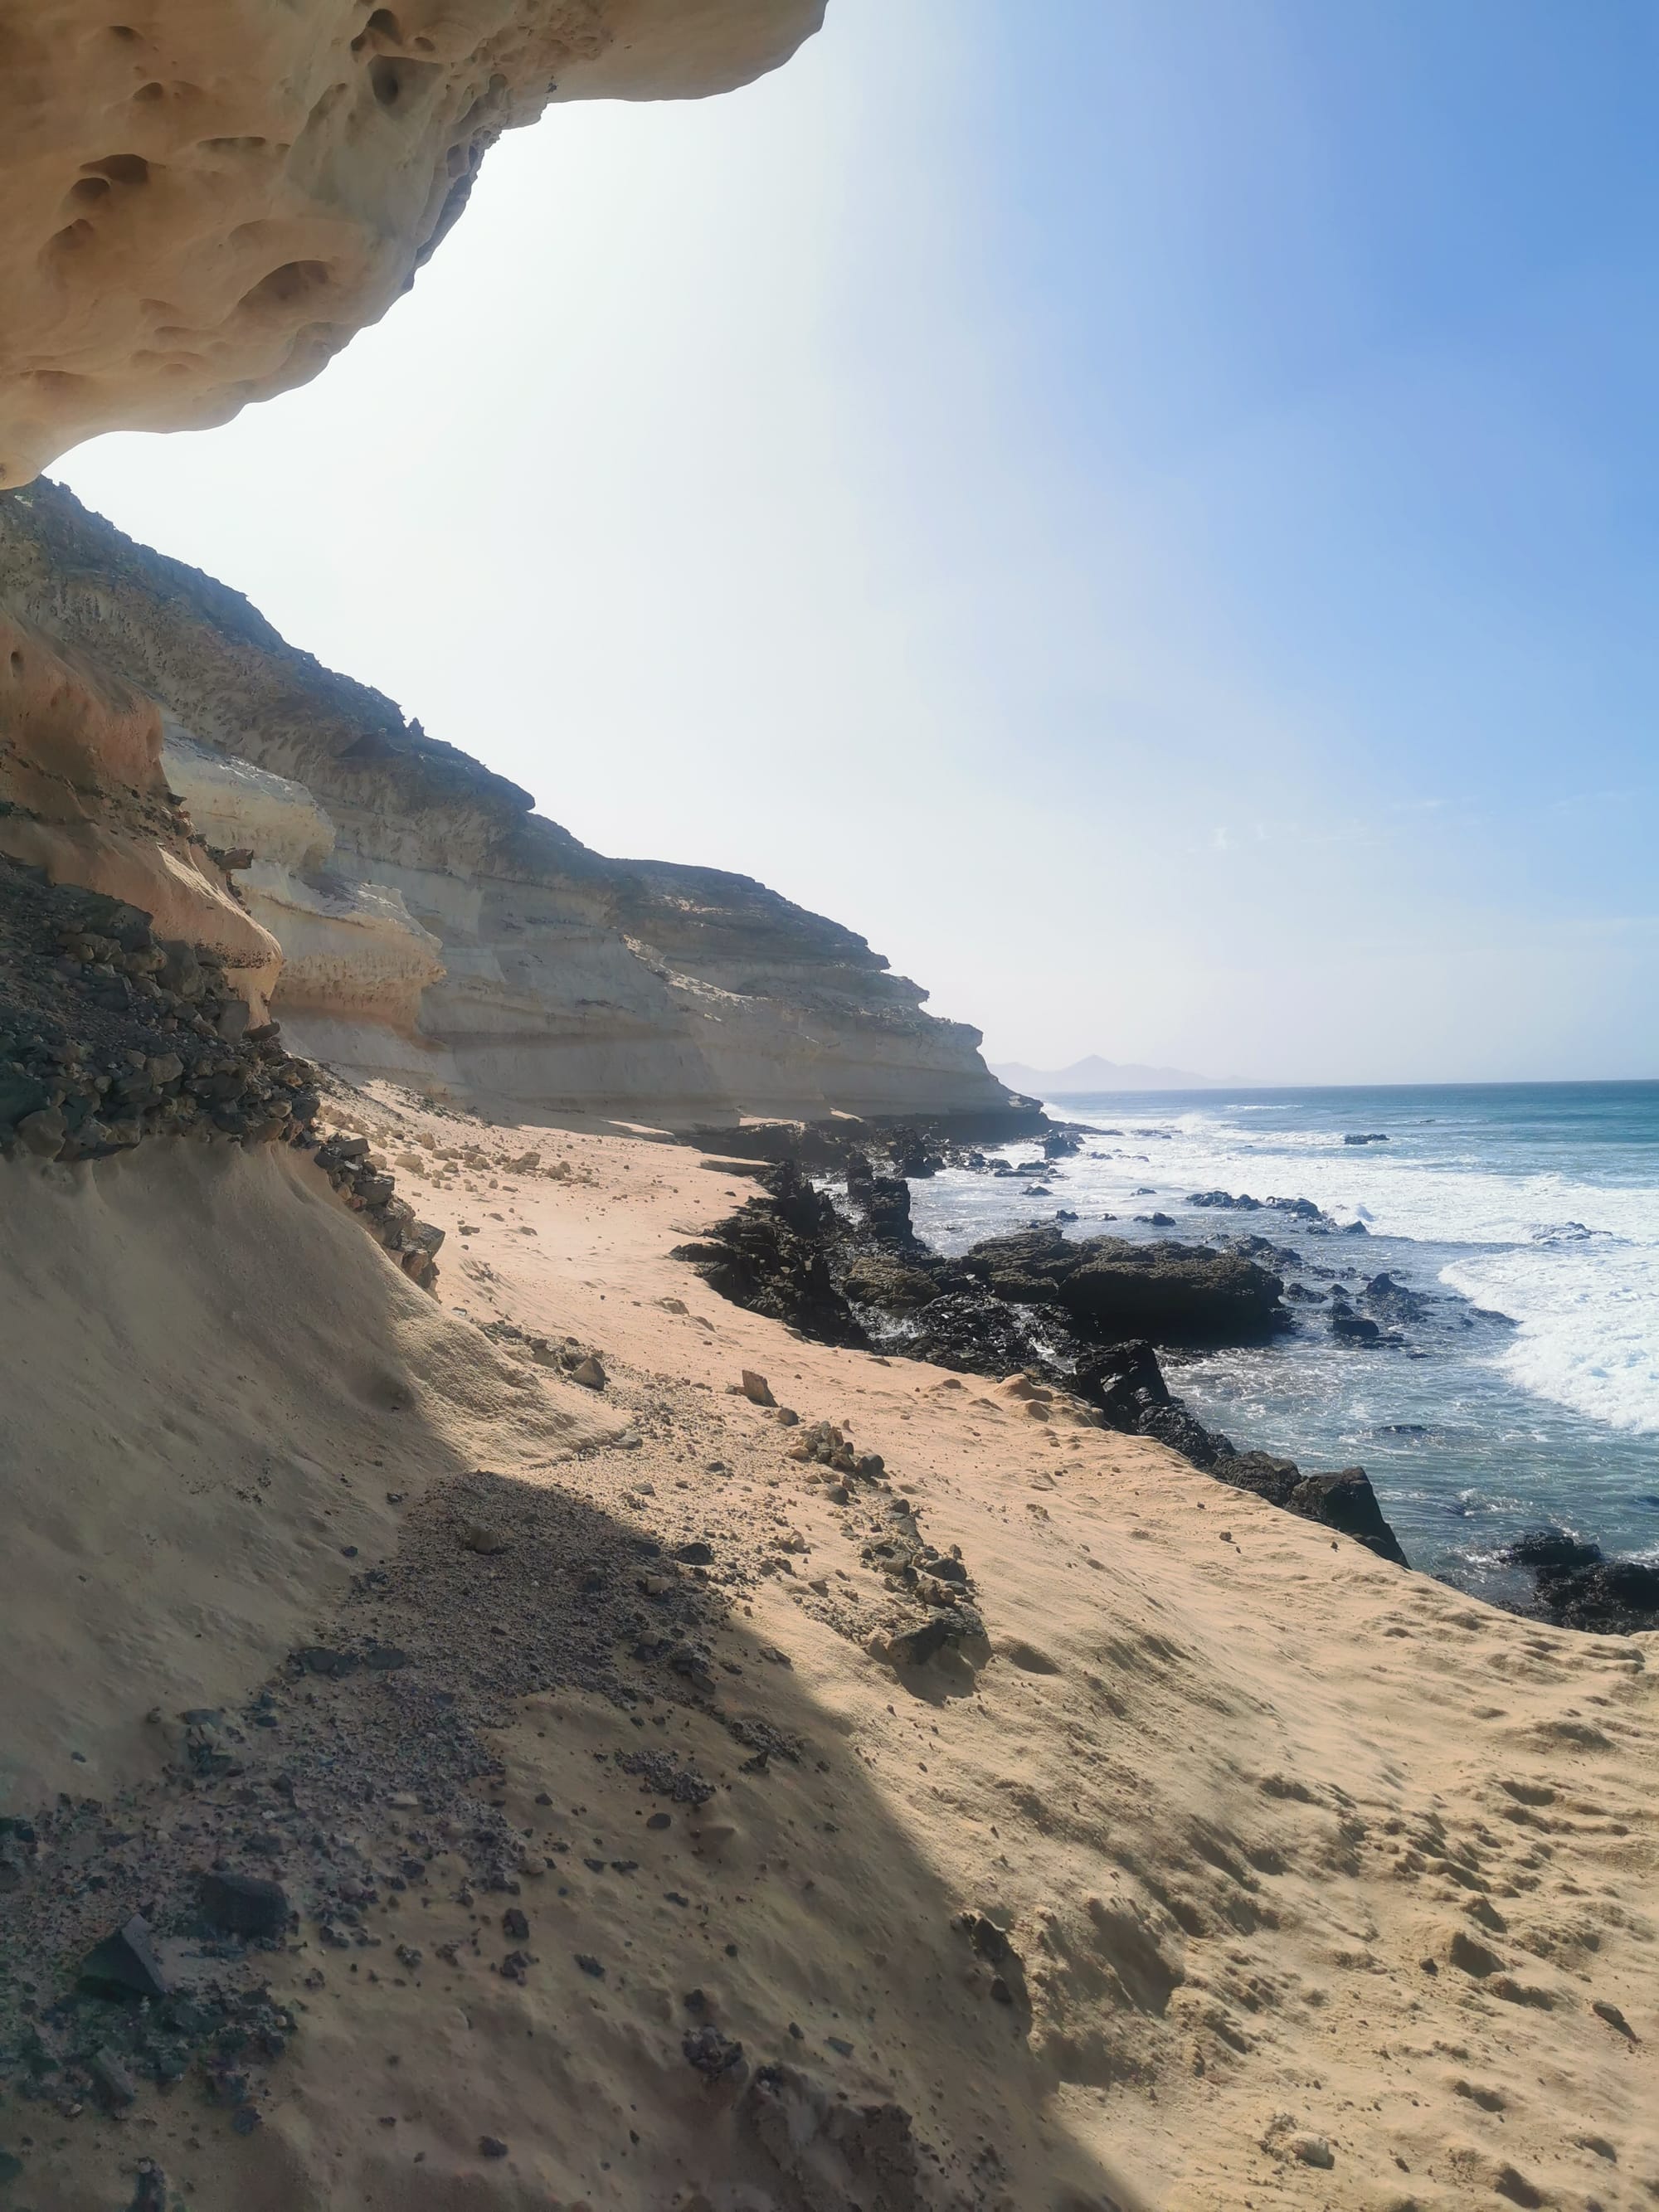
1233	1870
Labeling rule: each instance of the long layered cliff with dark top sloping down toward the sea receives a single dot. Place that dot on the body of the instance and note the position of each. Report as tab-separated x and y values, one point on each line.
430	926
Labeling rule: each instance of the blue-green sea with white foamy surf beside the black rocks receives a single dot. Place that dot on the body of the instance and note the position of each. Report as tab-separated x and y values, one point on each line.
1525	1213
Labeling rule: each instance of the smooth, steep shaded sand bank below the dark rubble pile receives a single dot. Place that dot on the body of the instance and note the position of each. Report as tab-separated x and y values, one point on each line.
211	1381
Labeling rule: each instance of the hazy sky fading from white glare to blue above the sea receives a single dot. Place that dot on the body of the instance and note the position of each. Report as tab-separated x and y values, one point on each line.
1149	512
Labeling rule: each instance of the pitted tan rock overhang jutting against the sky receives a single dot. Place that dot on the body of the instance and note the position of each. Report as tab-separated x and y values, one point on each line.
207	202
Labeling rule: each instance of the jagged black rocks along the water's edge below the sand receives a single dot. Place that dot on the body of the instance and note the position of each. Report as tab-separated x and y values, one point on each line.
1087	1317
